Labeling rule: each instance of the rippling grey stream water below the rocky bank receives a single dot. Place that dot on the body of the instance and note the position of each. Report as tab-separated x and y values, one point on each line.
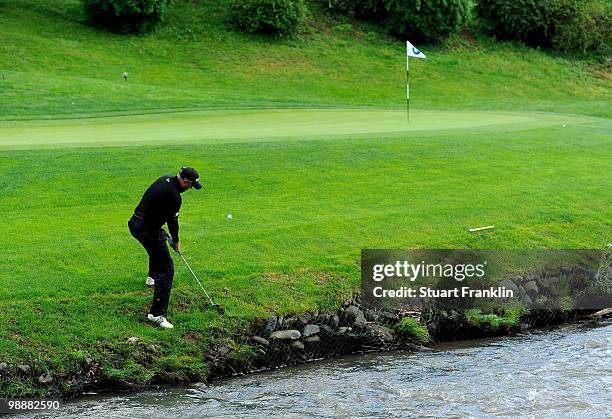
565	372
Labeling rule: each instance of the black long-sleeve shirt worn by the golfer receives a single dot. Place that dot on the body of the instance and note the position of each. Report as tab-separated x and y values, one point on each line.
160	204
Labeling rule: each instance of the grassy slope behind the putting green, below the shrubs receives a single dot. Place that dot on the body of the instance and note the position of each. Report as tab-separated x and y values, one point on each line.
55	65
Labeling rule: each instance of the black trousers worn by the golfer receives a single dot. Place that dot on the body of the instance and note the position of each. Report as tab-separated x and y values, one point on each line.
161	265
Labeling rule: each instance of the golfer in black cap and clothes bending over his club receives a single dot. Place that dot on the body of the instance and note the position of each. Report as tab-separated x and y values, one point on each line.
160	205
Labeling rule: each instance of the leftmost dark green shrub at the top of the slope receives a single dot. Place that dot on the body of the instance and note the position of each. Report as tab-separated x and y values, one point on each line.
126	16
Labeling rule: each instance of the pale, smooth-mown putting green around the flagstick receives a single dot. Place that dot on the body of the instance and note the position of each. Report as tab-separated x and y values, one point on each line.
262	125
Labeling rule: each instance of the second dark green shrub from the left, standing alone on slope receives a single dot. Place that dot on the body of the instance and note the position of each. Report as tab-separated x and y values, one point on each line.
282	17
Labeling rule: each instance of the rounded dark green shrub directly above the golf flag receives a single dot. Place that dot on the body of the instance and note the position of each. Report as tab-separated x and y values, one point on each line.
425	20
